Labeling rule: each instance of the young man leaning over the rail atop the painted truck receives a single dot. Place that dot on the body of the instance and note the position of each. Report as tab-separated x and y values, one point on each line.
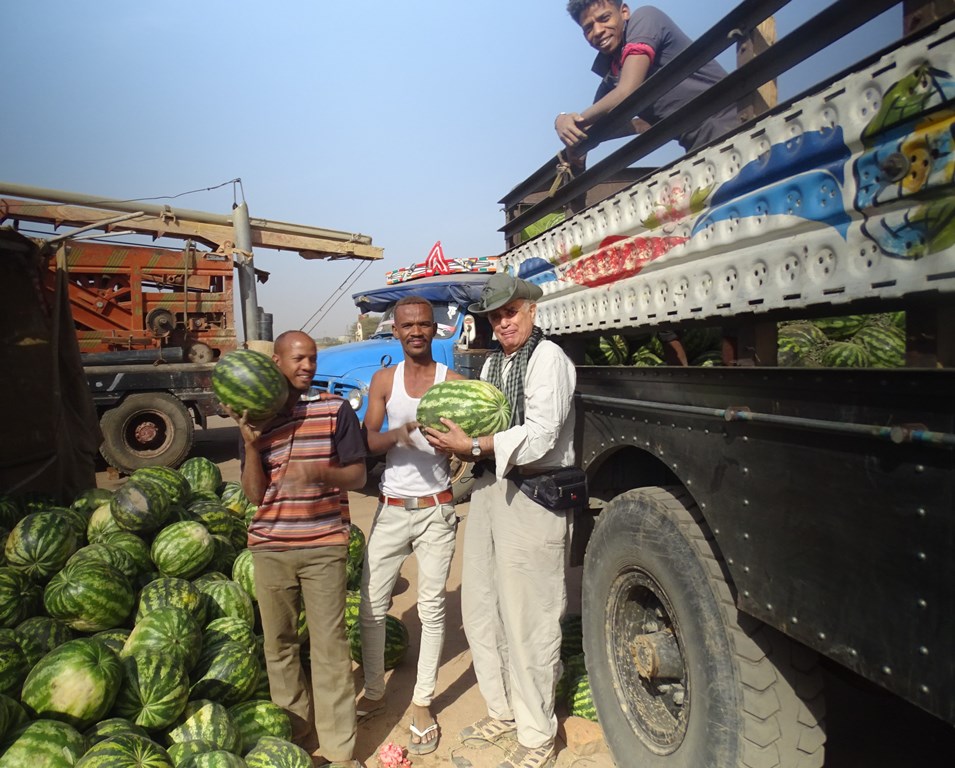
630	48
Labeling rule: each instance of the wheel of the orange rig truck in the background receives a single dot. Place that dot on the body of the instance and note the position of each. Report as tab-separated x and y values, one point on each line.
146	429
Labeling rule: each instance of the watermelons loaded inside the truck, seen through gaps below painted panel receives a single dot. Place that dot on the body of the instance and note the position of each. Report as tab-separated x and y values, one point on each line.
847	341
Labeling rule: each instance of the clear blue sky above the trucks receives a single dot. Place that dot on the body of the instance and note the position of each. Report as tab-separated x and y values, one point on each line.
404	121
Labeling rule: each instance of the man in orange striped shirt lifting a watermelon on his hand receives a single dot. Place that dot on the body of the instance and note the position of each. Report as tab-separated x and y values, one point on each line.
298	469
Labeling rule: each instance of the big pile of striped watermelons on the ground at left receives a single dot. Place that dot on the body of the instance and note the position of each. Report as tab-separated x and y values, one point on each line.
129	631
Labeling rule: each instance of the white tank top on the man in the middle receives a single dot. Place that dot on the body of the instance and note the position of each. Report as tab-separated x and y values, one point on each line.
416	470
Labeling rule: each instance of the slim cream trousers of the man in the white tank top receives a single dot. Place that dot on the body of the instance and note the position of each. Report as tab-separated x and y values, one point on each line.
396	532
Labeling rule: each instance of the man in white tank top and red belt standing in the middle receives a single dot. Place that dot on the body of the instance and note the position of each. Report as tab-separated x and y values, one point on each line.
415	514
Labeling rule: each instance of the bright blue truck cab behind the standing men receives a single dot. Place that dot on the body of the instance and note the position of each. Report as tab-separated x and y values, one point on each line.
460	343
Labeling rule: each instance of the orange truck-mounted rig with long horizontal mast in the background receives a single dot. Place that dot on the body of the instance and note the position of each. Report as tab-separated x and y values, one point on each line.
151	320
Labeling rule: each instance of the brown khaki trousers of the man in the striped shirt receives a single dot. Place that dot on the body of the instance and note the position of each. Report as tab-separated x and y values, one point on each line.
315	578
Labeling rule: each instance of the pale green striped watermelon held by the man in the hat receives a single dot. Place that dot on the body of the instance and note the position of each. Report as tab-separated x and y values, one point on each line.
478	407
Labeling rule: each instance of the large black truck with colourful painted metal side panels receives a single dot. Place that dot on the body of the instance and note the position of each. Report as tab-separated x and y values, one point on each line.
750	517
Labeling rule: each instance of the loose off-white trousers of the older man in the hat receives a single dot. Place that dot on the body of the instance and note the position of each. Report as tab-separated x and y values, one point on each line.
513	595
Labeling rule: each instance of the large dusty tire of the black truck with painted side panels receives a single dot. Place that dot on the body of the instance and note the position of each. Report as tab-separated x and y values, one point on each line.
681	678
